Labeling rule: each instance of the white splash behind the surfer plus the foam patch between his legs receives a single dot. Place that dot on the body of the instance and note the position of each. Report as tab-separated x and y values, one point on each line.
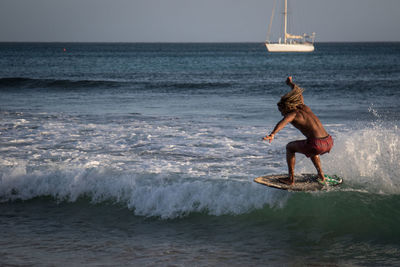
367	158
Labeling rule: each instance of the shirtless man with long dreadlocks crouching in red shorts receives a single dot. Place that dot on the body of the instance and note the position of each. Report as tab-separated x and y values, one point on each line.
318	141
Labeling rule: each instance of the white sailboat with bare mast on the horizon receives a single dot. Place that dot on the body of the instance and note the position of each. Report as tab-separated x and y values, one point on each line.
291	42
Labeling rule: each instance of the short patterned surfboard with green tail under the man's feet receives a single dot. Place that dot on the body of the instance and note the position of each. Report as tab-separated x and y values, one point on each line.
303	182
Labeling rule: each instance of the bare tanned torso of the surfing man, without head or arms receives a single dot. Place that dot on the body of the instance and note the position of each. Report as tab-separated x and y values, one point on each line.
307	123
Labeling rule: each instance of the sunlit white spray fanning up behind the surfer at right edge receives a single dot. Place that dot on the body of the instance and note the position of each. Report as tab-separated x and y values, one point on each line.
373	157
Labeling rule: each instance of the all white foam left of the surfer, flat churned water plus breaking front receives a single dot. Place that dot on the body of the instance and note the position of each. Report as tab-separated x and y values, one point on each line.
157	168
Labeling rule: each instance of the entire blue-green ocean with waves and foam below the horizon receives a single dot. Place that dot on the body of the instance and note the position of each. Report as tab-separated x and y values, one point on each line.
145	154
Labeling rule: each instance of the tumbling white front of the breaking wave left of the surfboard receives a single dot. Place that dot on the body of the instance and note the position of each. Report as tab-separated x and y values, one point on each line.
147	195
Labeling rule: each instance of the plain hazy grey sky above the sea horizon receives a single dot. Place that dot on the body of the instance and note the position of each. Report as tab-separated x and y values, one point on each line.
195	20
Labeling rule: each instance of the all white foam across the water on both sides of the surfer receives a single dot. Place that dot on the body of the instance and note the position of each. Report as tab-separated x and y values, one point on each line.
169	168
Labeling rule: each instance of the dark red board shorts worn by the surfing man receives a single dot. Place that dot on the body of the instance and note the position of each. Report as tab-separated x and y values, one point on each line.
316	146
